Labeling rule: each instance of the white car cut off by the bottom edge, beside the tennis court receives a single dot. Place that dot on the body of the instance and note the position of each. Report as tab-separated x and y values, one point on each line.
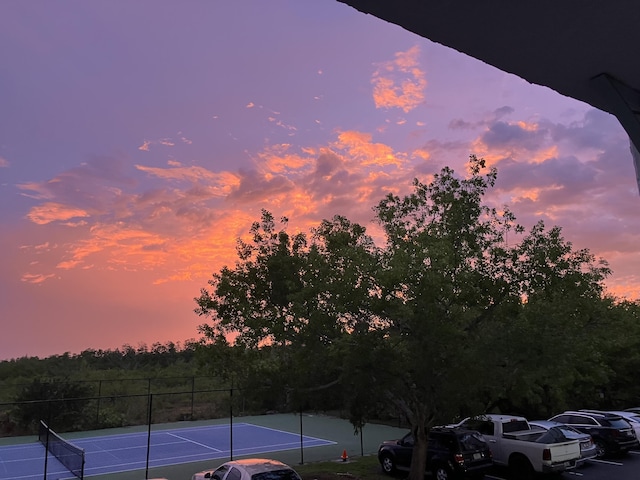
250	469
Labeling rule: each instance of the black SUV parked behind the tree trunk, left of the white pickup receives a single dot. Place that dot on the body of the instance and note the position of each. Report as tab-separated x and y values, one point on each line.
451	453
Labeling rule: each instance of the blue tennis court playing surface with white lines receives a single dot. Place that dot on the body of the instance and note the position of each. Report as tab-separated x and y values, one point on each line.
119	453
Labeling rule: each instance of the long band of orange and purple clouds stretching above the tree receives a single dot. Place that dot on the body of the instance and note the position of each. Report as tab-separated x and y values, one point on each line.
186	217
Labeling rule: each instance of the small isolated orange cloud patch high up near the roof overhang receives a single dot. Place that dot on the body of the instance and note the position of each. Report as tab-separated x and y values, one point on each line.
400	83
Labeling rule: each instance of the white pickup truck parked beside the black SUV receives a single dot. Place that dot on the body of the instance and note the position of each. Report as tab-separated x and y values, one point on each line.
515	444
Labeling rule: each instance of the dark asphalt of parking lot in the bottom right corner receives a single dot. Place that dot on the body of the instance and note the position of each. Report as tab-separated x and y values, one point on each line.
623	468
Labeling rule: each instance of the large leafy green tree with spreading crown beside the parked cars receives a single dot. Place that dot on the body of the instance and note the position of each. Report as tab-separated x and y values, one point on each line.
436	321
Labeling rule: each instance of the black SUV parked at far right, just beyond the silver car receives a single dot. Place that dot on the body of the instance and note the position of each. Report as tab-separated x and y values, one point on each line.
611	433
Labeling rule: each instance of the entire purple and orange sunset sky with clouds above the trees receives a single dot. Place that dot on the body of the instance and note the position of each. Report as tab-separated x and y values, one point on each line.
139	139
